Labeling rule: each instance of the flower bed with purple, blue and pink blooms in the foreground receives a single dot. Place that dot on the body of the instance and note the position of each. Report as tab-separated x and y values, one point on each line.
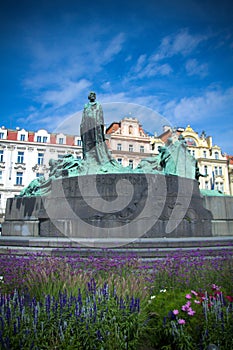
117	302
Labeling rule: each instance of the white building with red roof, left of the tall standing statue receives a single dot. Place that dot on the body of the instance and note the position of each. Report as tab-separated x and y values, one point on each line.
25	155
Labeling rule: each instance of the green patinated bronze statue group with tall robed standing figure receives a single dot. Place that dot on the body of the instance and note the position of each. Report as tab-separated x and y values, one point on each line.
97	158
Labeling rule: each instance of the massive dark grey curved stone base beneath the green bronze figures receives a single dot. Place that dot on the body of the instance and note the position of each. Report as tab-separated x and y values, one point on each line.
110	206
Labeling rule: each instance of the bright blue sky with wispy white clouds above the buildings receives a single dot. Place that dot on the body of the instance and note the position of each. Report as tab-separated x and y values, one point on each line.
163	58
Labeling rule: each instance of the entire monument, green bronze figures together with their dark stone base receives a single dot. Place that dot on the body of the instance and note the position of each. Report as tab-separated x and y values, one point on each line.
97	198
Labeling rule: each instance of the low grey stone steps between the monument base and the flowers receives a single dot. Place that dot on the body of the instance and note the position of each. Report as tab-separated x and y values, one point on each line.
146	248
